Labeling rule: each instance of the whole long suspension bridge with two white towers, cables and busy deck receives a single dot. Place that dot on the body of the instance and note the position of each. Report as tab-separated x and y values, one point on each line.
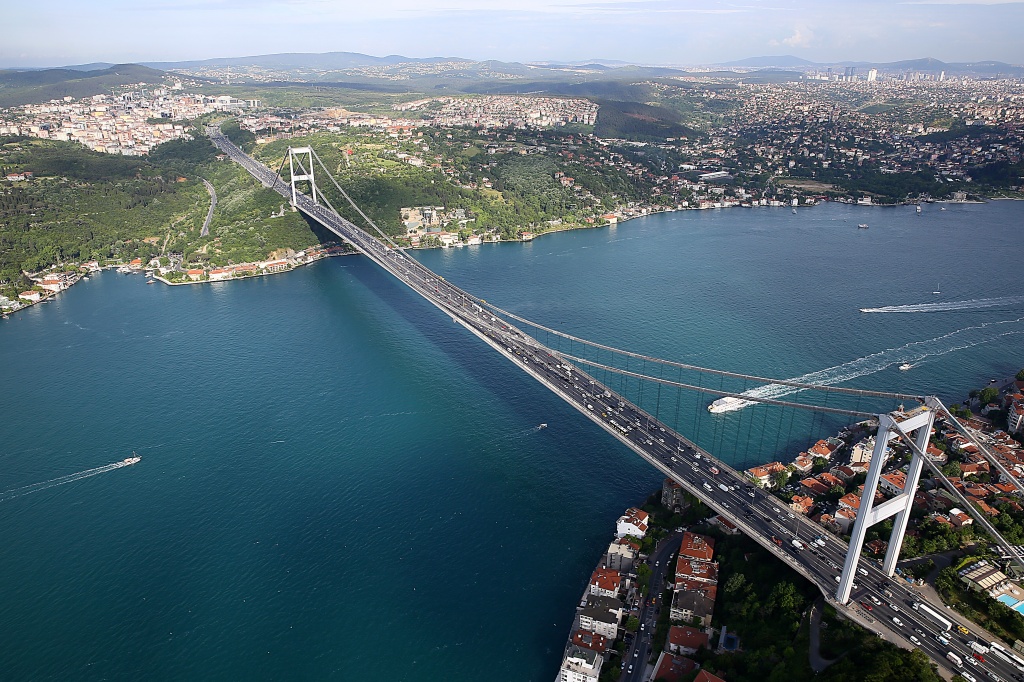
607	386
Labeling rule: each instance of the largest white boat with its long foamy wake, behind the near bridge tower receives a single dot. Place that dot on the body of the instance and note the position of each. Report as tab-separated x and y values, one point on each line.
910	354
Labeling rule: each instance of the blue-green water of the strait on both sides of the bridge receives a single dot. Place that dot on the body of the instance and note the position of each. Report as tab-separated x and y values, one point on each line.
338	483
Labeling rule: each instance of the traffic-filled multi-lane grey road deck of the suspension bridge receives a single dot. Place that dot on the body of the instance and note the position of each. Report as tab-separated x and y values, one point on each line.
756	514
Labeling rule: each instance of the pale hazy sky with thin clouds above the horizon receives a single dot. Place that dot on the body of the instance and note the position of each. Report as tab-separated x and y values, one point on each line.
679	32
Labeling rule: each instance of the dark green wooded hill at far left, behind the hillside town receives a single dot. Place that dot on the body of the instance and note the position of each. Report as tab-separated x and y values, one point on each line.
22	88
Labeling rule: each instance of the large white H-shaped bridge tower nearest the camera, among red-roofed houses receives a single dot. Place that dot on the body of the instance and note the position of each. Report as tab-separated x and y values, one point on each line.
918	422
